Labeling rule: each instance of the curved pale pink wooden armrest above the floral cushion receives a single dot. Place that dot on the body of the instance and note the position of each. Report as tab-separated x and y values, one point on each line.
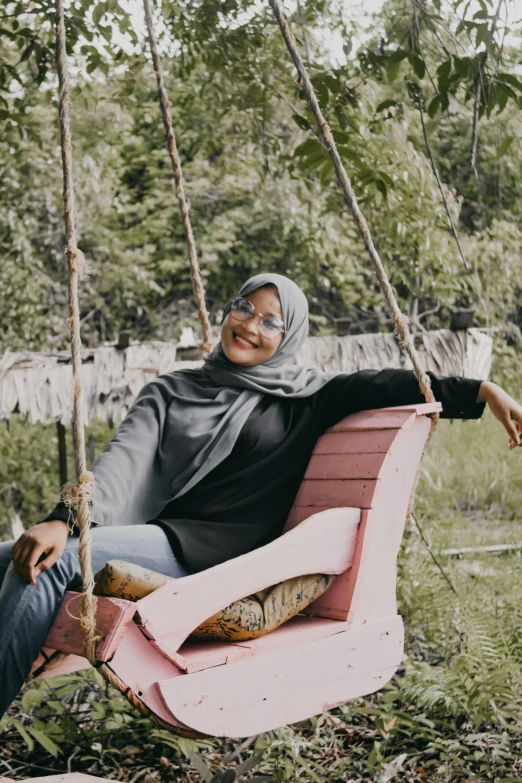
323	544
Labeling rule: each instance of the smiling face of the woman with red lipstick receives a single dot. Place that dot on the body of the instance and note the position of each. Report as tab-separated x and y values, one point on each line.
242	341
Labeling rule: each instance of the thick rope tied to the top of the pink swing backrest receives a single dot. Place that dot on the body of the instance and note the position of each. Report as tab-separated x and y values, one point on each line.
400	320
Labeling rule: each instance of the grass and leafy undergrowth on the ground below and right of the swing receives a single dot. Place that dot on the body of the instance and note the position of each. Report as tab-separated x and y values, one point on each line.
452	713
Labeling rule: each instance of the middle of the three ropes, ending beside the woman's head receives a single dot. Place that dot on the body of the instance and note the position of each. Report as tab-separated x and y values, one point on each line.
197	283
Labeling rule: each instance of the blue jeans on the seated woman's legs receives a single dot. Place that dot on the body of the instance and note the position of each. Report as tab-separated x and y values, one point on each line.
27	611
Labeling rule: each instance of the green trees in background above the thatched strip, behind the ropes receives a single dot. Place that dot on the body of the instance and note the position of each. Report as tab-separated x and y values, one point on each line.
260	183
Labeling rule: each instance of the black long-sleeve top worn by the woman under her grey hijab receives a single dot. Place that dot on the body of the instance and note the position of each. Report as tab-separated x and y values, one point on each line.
244	502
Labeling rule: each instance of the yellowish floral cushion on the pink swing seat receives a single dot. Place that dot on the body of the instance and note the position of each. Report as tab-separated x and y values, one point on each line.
247	618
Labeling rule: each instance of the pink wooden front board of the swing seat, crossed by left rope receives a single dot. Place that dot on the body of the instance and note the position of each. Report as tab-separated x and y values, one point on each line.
113	615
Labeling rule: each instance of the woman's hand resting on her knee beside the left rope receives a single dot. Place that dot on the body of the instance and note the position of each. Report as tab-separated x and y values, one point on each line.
47	538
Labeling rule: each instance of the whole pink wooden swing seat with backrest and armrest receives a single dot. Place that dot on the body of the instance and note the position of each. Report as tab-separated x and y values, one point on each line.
348	519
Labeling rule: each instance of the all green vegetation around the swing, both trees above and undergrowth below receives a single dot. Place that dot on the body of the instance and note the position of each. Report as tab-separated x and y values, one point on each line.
263	196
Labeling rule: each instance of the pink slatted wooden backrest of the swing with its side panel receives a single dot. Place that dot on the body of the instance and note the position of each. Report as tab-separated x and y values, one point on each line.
368	461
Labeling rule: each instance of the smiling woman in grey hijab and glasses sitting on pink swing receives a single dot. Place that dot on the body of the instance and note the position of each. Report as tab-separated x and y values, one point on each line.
207	462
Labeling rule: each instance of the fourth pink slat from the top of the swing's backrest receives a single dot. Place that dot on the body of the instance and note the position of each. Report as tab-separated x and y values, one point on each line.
340	493
